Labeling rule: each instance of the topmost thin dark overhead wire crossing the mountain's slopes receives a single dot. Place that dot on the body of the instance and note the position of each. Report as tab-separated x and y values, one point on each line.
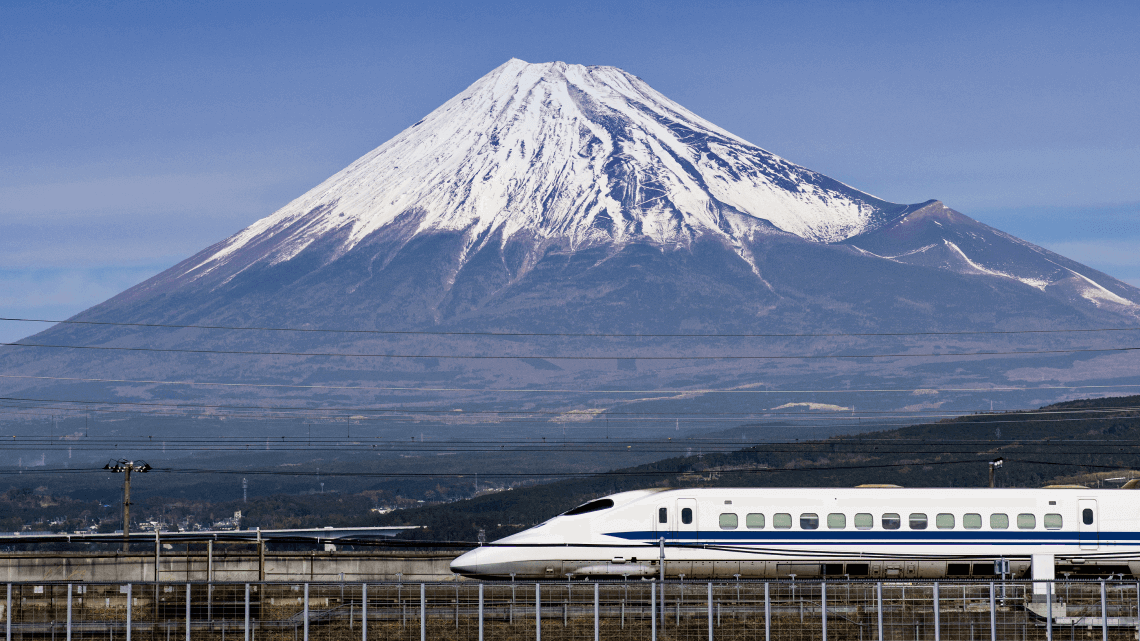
571	335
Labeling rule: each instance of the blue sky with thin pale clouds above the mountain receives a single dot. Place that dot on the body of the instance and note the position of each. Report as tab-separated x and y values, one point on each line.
136	134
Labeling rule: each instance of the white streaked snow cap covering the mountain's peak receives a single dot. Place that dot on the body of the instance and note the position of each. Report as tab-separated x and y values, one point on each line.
582	155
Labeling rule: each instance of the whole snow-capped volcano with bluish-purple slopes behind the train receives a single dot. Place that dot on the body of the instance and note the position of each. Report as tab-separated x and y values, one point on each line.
556	199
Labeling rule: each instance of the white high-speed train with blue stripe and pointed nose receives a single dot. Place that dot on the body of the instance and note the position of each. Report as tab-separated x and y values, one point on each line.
865	532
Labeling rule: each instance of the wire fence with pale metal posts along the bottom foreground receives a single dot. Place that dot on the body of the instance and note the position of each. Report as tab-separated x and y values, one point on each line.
786	611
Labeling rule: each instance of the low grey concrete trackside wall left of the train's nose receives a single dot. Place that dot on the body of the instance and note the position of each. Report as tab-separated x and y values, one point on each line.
176	566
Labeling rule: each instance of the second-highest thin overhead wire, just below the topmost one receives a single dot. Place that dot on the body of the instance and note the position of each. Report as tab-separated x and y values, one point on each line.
560	358
